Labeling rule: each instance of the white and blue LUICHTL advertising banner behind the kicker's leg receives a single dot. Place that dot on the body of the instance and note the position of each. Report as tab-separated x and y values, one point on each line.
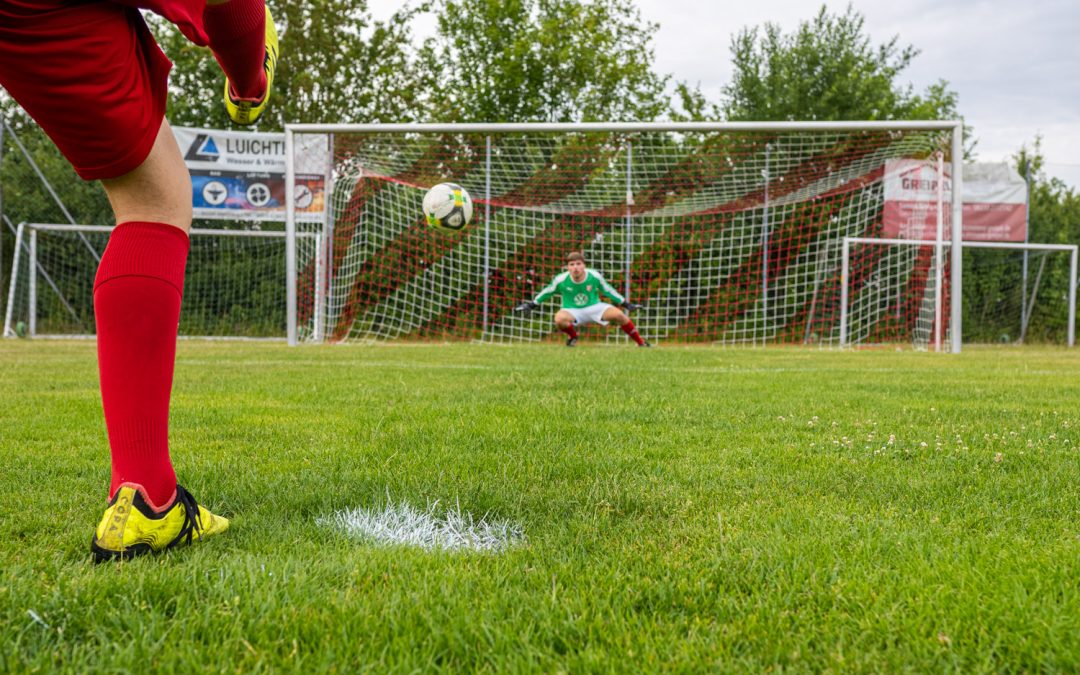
241	175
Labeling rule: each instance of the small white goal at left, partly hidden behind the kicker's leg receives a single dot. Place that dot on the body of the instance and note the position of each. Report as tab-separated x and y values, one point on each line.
235	287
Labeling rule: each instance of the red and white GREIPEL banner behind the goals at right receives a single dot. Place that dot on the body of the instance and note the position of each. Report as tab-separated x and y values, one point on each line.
995	199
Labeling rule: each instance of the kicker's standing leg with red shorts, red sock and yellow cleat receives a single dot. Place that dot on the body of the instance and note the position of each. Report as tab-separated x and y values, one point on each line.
96	82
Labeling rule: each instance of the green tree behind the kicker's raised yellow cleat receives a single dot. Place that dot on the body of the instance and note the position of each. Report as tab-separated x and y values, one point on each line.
337	65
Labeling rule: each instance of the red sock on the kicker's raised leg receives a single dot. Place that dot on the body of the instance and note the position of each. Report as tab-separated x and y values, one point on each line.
237	33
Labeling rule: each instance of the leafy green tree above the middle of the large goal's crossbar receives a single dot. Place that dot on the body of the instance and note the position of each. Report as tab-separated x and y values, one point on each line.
543	61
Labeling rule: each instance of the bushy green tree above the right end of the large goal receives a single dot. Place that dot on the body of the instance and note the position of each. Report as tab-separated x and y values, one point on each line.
827	70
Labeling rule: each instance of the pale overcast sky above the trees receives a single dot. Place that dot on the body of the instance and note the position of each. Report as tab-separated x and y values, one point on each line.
1016	64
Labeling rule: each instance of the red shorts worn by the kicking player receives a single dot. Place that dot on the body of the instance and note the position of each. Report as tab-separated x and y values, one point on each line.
92	76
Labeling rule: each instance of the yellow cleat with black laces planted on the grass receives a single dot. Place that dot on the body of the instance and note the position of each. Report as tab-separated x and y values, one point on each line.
131	528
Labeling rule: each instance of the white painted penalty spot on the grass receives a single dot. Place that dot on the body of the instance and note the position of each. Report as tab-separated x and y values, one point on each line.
400	524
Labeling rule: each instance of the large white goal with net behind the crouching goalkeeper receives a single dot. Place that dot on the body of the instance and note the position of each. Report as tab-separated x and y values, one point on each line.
727	234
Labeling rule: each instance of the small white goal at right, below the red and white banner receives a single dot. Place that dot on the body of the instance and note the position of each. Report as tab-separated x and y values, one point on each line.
897	291
